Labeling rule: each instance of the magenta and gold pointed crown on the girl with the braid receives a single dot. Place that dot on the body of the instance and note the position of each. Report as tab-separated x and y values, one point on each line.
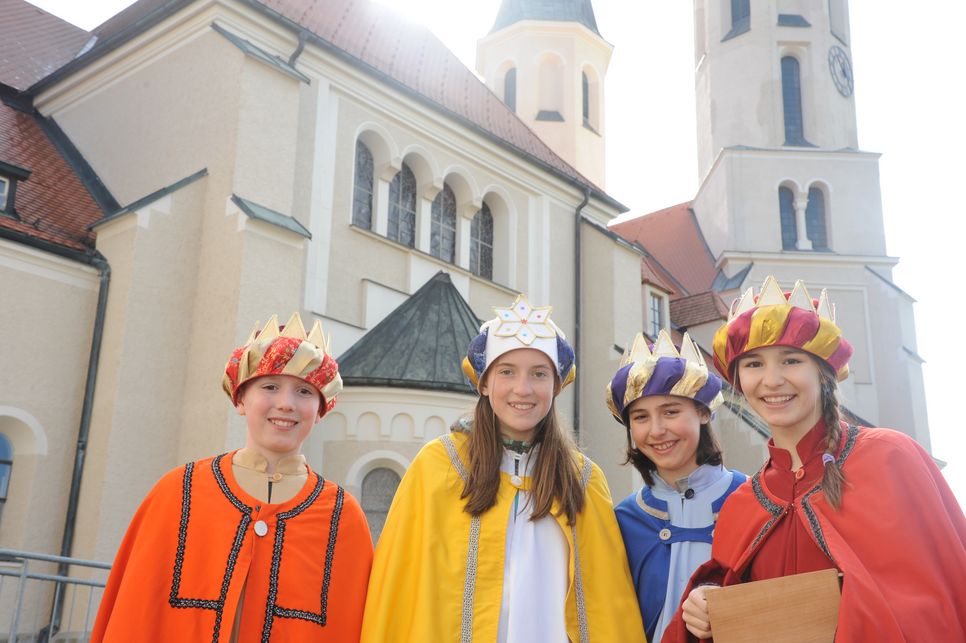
776	318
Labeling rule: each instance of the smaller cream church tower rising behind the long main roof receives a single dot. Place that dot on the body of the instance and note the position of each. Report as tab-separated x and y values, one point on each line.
547	61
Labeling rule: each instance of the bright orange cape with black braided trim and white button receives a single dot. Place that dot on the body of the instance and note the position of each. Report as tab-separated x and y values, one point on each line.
193	545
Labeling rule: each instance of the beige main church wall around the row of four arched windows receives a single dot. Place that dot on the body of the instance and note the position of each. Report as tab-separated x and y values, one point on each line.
192	273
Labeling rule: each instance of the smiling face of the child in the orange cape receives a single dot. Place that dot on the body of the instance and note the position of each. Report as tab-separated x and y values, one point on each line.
280	411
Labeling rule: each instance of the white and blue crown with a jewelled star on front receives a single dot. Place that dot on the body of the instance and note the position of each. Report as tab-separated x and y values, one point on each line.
519	326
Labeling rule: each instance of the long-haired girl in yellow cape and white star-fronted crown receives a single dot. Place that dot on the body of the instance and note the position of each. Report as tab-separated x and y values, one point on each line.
501	530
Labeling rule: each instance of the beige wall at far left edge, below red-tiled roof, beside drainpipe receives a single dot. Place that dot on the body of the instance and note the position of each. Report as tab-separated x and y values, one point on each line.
46	347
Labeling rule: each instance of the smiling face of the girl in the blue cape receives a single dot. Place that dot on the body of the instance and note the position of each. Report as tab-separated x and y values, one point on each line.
667	429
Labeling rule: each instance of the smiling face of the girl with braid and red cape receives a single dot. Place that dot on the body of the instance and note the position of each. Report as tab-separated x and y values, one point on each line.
783	387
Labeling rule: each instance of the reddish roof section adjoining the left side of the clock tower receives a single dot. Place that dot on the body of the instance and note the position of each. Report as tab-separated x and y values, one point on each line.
673	237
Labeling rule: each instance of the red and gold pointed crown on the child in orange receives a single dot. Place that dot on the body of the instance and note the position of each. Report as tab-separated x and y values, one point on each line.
285	350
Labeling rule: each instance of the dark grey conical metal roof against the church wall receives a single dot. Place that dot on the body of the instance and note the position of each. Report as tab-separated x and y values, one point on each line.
420	344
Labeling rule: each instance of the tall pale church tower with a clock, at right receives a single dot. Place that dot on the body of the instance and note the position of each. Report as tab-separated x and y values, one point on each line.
786	190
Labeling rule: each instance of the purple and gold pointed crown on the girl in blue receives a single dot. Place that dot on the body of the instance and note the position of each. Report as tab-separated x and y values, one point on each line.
662	370
